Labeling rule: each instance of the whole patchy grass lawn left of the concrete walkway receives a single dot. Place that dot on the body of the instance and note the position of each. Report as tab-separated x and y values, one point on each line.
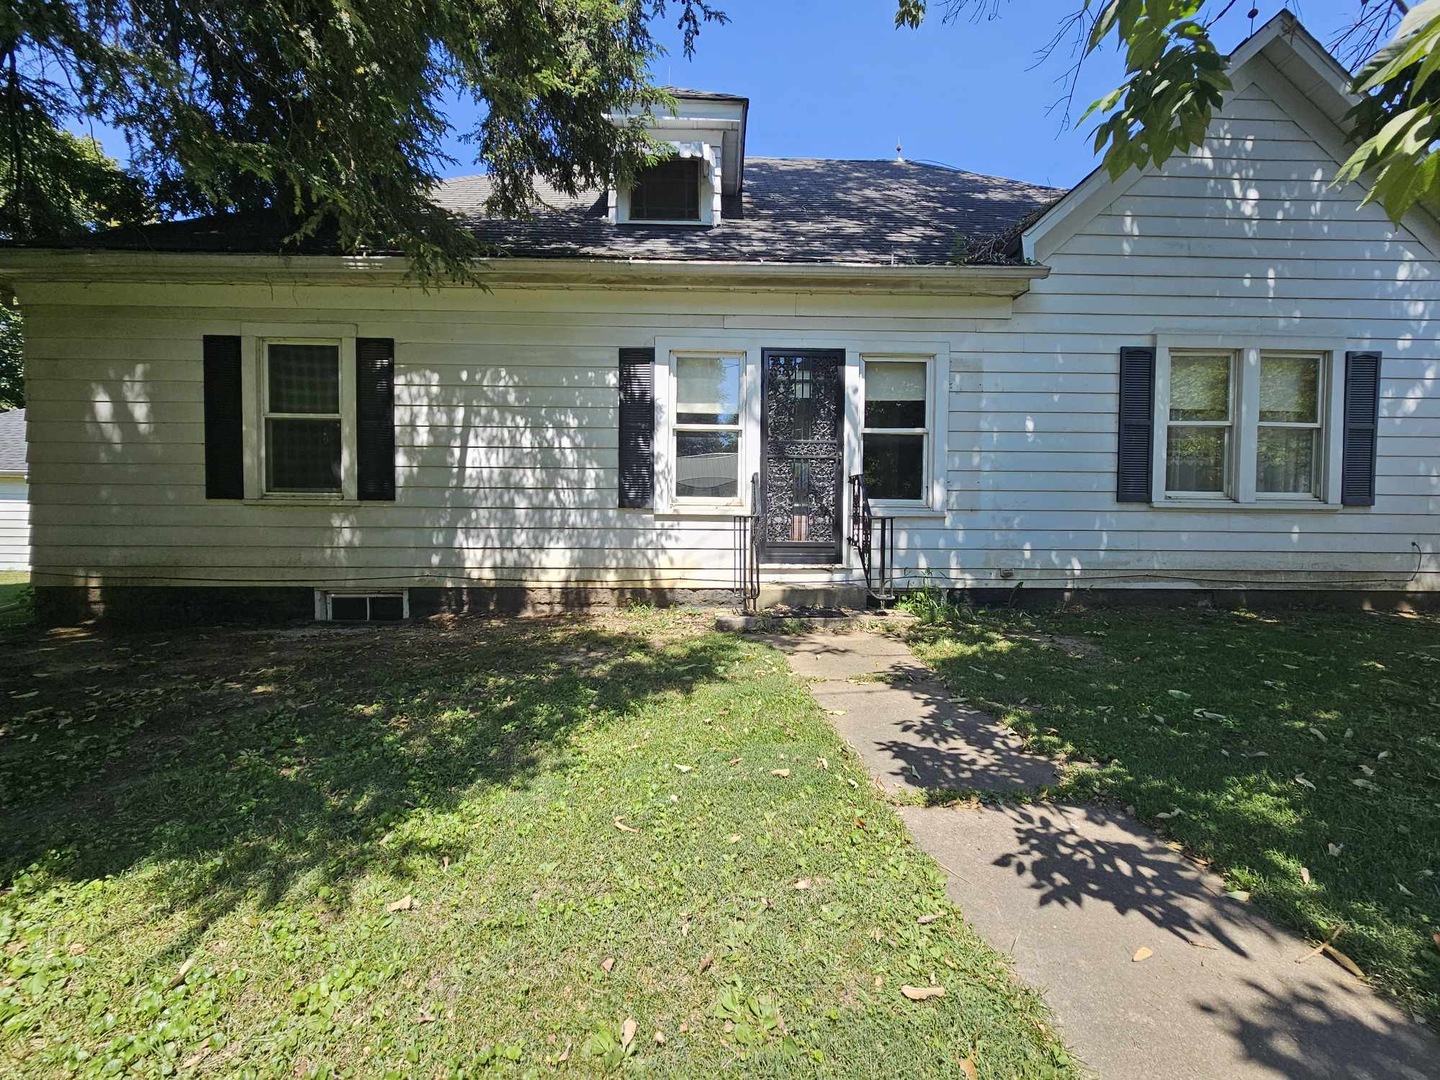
469	849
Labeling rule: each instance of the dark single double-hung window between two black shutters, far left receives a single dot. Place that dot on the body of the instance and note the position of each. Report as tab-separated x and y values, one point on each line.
303	418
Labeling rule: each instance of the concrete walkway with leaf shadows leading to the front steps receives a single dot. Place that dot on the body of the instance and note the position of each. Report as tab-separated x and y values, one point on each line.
1072	894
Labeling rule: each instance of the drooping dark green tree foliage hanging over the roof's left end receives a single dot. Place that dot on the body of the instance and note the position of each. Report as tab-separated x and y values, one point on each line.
330	113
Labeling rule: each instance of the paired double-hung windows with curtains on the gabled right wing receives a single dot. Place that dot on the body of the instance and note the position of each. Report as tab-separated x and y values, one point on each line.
1248	426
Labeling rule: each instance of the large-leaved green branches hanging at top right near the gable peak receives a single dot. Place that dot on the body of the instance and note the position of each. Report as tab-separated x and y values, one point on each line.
1176	78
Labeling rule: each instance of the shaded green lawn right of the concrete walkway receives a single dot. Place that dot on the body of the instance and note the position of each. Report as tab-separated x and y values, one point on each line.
1285	742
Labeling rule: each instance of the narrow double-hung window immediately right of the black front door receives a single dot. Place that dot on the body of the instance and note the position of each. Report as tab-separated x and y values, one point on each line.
896	430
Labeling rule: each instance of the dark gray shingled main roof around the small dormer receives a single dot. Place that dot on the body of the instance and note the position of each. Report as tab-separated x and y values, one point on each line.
814	211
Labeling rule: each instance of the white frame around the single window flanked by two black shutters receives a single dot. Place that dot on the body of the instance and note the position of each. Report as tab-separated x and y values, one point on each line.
254	375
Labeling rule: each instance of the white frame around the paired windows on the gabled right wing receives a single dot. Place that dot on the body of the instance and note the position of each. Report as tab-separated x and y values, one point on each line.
1245	420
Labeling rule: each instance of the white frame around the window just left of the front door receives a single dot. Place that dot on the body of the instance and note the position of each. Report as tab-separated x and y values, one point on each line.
667	387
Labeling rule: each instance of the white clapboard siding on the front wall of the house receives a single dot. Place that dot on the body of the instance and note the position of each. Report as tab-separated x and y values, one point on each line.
508	407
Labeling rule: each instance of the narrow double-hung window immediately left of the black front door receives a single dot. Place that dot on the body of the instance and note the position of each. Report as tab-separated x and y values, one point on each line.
706	430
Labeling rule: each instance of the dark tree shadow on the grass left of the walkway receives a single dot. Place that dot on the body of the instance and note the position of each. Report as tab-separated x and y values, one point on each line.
241	764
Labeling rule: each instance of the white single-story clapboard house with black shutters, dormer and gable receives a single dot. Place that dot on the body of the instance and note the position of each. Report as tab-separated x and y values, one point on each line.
1220	375
